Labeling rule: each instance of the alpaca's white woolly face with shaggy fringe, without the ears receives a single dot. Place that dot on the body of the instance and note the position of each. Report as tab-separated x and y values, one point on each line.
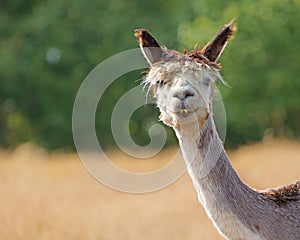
182	91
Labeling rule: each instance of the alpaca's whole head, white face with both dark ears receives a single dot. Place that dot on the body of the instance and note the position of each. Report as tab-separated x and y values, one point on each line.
182	84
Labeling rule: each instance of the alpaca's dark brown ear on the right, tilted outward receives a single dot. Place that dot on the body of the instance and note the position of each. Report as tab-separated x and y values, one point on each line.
213	50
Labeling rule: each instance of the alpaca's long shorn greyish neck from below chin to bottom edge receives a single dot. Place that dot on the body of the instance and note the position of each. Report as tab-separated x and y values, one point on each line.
219	189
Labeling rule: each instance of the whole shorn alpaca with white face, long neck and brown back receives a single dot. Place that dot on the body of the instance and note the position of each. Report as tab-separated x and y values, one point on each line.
183	86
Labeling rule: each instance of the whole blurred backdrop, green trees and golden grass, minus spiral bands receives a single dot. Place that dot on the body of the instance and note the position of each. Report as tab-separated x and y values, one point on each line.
48	47
